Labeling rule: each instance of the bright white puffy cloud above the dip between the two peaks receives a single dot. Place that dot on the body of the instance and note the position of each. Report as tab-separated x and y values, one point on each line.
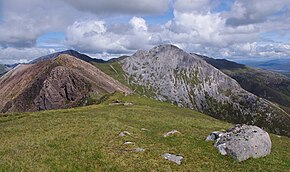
94	36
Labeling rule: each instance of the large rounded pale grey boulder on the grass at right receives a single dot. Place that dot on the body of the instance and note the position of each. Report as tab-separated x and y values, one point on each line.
242	142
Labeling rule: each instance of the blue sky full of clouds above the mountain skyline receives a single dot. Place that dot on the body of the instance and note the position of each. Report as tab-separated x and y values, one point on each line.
230	29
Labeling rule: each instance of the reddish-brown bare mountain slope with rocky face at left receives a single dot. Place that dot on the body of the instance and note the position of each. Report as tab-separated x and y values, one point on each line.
61	82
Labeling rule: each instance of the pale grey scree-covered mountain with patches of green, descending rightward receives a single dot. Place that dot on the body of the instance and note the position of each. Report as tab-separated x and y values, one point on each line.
167	73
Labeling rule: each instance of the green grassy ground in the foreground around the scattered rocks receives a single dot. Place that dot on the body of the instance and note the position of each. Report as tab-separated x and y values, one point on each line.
86	139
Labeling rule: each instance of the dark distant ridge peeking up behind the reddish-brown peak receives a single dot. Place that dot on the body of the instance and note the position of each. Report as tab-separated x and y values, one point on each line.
71	53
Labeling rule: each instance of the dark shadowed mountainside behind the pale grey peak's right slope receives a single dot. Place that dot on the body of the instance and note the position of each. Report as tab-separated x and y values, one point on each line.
263	83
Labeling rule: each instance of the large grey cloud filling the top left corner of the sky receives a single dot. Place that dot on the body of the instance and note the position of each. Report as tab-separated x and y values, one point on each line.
23	21
